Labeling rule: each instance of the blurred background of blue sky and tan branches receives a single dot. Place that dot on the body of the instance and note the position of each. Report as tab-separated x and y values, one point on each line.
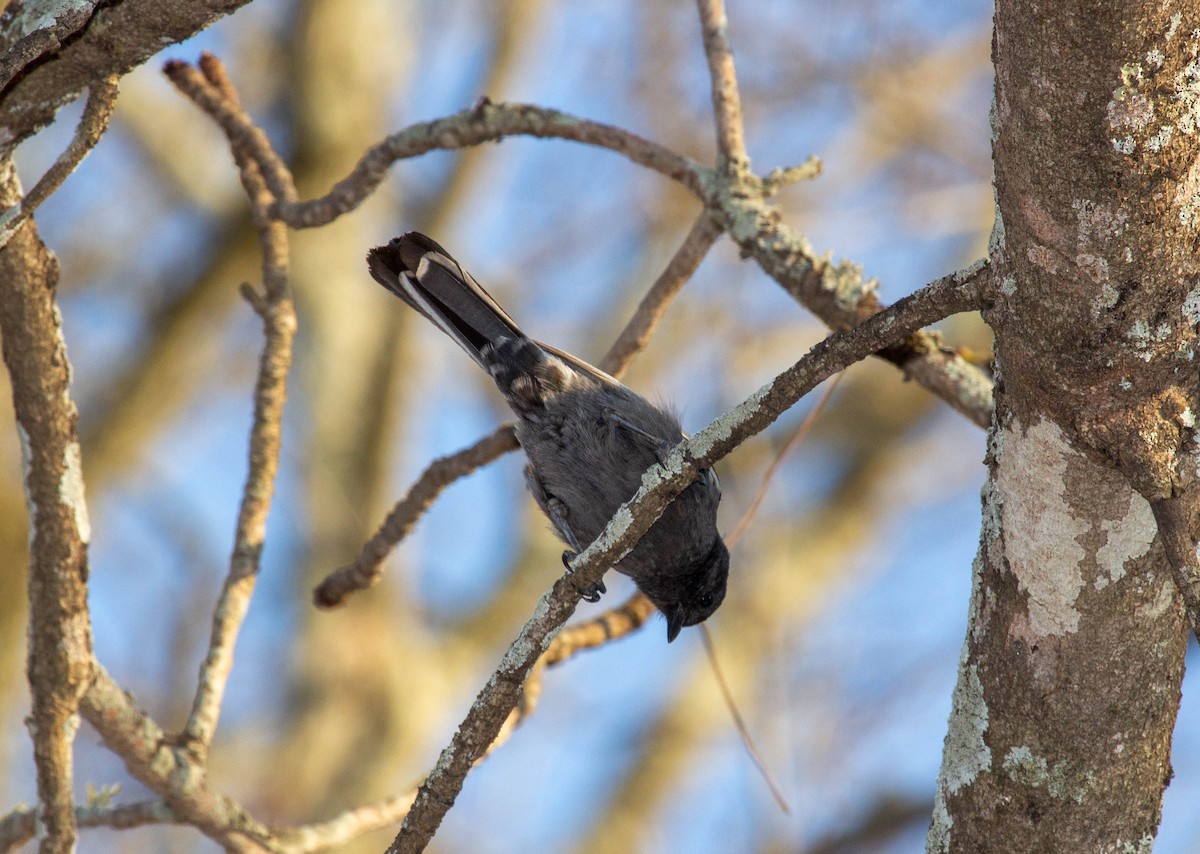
848	599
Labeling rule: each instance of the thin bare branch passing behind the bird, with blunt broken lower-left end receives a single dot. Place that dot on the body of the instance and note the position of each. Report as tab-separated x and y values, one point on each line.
368	567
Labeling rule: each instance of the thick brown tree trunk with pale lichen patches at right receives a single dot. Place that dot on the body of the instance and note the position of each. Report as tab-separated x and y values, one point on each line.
1070	683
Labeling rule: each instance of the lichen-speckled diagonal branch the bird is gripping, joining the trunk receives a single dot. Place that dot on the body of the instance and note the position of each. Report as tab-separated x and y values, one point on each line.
950	296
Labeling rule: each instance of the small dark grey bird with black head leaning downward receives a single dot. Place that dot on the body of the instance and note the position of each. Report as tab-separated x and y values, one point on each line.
586	436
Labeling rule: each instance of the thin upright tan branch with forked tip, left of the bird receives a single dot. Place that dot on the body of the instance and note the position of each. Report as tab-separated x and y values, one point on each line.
212	89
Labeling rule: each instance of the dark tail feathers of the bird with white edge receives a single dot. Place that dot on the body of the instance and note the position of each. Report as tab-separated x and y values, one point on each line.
425	276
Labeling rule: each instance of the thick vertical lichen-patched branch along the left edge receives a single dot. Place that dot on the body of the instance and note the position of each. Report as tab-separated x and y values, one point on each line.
61	648
